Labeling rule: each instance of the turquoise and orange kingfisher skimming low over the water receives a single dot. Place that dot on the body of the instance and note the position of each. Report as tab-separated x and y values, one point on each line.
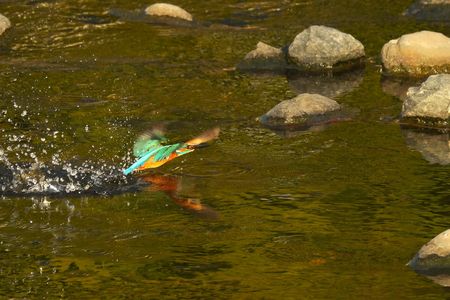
150	151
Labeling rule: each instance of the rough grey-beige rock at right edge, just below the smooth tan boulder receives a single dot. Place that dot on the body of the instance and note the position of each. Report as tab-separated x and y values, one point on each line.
428	105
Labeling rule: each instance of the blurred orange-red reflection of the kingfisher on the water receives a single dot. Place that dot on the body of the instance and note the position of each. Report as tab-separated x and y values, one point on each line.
171	186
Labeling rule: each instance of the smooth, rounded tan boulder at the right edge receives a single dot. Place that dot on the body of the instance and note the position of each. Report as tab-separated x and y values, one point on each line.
417	54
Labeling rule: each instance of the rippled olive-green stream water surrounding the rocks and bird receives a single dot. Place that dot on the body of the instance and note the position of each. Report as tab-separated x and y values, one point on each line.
333	213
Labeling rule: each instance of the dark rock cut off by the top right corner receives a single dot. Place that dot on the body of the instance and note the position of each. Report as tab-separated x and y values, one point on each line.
430	10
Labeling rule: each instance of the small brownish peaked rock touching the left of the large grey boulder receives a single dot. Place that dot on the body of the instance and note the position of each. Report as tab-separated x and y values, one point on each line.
263	58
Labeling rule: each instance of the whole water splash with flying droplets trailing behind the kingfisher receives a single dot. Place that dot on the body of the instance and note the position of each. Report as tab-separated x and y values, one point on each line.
32	160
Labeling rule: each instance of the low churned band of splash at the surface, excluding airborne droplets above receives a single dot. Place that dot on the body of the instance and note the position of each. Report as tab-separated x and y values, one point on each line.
58	177
